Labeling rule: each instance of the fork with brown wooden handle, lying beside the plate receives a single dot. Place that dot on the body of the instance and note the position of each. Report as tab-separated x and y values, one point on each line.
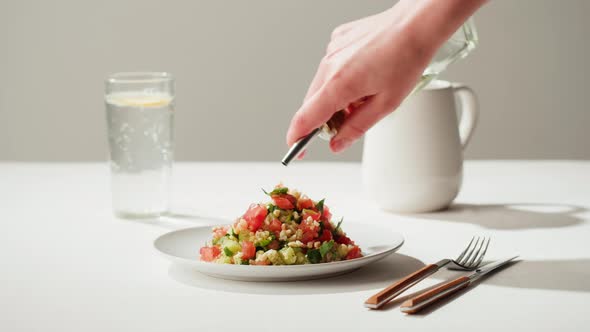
468	260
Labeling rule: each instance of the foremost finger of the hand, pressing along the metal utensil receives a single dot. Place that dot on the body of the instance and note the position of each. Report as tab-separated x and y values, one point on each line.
334	95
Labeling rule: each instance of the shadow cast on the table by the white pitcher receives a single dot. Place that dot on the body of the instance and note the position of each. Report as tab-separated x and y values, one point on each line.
510	216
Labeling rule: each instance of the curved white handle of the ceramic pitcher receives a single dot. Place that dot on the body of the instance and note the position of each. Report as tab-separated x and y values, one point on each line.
469	111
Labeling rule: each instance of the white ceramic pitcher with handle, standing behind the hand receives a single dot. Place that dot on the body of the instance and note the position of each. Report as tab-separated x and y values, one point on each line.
413	158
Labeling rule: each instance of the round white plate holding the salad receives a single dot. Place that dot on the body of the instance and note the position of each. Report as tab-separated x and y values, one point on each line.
183	246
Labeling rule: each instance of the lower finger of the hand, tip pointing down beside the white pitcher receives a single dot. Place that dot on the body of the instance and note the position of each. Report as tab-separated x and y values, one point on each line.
360	120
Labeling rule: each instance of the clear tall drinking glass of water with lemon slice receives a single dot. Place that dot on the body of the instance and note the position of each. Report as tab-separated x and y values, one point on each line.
140	114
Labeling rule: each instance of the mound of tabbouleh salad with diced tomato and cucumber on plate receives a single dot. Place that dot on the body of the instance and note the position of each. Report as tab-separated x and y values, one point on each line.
290	229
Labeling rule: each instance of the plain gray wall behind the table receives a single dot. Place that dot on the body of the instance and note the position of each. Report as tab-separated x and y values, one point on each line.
242	68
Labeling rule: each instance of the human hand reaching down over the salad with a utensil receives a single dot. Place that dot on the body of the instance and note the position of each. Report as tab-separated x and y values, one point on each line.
370	66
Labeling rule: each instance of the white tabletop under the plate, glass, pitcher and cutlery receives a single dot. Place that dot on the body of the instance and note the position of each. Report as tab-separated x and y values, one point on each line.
67	264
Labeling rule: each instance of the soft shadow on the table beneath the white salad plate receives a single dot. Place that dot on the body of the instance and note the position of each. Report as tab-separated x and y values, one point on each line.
374	276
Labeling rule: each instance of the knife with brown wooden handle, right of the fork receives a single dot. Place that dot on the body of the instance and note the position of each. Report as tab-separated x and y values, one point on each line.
421	301
